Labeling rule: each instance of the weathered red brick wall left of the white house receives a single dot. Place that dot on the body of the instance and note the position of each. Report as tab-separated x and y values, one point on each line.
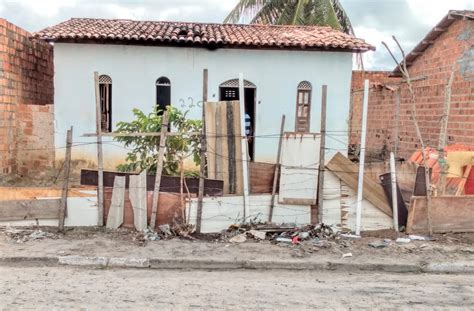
26	102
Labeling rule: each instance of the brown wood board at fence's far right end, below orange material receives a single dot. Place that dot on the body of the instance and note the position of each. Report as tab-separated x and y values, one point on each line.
448	214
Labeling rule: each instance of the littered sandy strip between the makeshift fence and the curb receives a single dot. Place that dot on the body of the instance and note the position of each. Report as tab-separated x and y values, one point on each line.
124	243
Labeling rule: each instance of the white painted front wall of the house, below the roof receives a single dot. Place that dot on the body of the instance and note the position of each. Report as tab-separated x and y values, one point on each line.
134	70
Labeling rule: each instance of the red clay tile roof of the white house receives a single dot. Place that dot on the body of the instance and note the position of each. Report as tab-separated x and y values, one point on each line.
200	34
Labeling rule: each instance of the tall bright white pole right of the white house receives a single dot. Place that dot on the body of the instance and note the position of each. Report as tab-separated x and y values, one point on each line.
360	187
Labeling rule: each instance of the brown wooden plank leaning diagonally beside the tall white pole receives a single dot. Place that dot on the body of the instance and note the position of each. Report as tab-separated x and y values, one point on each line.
348	172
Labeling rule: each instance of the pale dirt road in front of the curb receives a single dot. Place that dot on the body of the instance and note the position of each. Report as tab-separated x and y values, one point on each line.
54	288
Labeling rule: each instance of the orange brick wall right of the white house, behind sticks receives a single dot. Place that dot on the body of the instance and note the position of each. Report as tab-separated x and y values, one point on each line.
455	46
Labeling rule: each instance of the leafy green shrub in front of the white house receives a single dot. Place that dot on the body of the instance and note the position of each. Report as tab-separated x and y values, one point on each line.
144	150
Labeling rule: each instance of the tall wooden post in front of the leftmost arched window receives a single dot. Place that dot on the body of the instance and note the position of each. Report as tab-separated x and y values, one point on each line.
100	160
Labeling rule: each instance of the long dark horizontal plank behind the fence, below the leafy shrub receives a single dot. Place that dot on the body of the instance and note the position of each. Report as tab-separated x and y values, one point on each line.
212	187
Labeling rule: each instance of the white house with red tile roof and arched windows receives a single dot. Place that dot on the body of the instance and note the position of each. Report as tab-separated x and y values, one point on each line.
144	63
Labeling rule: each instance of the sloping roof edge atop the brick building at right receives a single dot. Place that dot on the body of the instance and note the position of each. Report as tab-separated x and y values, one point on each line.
441	27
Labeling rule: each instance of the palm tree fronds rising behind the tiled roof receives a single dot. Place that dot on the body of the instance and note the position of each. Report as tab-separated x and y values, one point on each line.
292	12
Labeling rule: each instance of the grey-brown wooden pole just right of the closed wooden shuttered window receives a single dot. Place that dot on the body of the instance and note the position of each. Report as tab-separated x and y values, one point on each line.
322	154
